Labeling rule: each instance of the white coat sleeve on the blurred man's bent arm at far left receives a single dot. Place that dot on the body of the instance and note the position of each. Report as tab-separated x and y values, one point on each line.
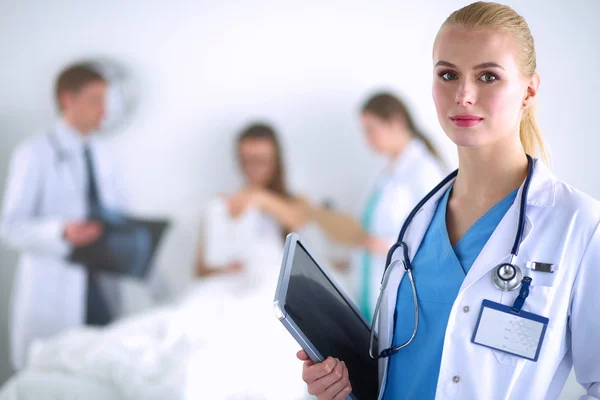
20	227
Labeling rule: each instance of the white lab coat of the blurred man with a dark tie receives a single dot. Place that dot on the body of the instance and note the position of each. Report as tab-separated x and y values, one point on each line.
46	187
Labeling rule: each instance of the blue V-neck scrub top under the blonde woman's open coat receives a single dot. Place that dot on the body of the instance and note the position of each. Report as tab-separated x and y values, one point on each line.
439	270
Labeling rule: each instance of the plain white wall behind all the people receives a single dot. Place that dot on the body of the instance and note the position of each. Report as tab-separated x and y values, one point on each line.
206	68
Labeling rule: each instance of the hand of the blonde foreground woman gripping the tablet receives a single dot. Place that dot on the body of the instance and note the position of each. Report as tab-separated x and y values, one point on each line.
327	380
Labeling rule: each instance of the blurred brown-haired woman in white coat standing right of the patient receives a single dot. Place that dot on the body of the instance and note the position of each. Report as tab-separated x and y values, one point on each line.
414	167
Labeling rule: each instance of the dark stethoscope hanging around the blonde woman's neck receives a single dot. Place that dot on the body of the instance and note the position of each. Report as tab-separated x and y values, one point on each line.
506	276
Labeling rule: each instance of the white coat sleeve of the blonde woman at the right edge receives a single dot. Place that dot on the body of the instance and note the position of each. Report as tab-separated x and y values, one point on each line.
584	321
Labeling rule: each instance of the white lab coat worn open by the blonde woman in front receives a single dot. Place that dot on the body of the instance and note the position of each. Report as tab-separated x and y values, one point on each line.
561	227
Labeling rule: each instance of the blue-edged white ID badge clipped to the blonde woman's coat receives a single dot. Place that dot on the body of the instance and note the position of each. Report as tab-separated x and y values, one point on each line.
502	328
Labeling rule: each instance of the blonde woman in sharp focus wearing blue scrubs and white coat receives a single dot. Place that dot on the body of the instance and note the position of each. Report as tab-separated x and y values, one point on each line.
503	257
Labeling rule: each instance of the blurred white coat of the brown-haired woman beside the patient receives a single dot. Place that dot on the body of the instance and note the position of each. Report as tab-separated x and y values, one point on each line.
406	181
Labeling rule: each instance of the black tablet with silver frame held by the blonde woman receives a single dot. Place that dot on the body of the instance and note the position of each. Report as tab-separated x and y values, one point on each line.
322	319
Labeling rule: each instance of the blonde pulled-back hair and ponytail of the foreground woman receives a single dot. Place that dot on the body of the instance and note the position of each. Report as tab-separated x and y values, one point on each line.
498	16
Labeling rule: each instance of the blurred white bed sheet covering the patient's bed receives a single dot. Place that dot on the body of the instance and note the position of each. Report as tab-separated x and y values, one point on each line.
219	341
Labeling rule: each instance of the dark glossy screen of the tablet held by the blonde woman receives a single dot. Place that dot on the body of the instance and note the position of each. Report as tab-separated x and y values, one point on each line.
330	323
